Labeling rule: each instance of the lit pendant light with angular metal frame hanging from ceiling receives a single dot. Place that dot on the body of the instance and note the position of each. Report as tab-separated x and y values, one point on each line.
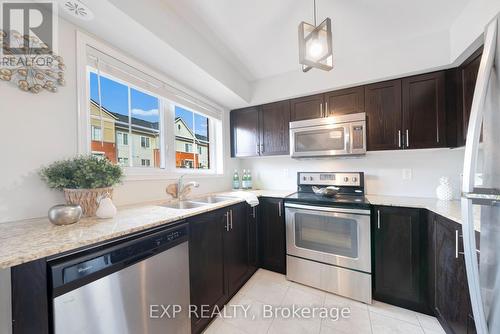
315	44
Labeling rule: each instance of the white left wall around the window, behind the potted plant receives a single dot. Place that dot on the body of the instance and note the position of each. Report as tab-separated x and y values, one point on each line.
36	130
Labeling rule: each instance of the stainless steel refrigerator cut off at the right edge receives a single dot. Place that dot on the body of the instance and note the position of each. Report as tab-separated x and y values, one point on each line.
481	188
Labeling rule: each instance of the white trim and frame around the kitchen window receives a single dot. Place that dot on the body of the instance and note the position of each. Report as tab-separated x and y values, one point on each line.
166	141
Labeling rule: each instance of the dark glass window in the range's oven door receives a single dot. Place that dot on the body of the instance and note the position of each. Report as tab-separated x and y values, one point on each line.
326	234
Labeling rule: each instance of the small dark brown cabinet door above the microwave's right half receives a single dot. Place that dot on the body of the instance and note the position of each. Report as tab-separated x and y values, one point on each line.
345	101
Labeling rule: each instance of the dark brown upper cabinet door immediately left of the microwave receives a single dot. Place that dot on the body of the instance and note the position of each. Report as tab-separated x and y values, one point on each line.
274	128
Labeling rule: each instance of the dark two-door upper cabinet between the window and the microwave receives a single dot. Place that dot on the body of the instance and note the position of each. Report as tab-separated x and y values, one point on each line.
262	130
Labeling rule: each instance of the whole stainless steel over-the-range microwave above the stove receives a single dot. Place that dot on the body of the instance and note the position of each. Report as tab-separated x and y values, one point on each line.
330	136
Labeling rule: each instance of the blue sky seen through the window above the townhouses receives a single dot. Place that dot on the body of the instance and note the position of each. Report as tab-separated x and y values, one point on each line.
114	97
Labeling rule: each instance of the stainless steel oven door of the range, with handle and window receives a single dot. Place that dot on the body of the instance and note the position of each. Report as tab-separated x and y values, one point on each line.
334	236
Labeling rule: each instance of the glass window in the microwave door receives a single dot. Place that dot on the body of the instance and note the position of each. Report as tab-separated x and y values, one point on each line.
320	140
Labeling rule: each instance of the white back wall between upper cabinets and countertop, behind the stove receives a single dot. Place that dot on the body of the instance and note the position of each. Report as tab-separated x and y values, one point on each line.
383	170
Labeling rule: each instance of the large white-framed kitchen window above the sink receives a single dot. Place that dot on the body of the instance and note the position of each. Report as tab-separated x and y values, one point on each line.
146	124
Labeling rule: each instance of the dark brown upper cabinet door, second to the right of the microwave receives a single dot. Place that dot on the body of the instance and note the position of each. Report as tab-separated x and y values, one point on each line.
424	113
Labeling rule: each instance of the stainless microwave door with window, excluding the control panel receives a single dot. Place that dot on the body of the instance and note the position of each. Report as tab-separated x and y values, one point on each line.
320	140
